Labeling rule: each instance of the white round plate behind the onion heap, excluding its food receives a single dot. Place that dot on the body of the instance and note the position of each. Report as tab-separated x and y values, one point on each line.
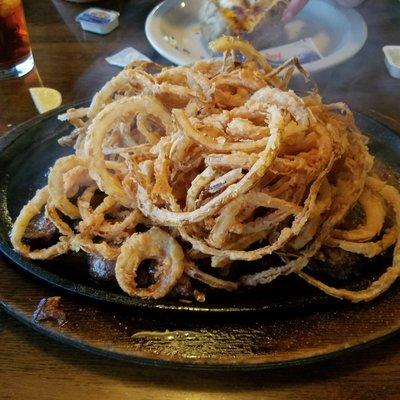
173	29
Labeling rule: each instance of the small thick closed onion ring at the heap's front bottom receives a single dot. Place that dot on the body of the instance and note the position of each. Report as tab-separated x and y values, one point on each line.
154	244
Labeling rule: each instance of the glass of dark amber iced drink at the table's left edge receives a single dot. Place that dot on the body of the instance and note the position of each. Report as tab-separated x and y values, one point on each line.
15	50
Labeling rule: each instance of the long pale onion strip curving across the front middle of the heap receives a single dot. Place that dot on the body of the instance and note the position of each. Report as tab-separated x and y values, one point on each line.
257	171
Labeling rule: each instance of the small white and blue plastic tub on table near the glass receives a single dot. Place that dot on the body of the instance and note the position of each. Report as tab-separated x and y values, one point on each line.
98	20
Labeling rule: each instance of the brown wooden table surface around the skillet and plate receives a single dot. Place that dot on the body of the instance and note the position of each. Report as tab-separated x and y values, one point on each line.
72	61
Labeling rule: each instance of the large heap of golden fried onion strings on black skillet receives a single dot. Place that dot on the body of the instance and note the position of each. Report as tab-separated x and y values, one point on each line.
179	173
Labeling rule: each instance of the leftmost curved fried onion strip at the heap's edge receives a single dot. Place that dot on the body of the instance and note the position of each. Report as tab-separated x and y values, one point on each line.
29	211
